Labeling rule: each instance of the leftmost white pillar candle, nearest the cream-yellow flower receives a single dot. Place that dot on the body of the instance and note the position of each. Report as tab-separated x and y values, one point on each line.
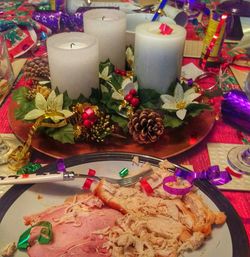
73	62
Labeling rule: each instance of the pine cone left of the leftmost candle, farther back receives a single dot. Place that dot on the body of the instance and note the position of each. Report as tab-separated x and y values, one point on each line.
37	69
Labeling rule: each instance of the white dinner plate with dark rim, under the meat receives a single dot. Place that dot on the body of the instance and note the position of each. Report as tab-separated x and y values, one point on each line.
229	240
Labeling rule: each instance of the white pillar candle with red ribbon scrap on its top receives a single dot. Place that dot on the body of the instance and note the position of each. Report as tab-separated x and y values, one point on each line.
158	57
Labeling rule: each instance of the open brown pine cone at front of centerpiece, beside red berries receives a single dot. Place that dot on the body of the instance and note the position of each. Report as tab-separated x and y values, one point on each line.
146	126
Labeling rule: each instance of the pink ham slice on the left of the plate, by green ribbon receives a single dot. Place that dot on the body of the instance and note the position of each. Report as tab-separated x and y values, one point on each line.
73	224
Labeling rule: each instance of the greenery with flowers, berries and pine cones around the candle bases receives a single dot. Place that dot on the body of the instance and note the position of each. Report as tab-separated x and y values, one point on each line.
118	108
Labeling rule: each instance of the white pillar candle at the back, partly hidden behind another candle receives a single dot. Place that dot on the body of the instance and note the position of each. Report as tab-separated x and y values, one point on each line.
109	26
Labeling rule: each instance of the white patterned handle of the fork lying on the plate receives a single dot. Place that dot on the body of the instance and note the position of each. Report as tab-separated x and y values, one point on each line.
31	179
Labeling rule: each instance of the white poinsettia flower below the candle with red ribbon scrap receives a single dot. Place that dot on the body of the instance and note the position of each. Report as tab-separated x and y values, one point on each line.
180	100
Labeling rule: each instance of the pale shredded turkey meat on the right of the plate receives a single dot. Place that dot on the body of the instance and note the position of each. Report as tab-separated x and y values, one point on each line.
159	225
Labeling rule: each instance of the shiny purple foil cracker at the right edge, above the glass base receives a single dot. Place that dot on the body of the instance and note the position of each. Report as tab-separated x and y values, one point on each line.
235	109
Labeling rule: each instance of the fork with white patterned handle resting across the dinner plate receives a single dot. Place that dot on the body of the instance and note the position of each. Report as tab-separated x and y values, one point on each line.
67	176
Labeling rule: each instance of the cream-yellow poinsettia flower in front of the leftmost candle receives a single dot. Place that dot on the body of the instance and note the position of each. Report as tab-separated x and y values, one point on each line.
49	107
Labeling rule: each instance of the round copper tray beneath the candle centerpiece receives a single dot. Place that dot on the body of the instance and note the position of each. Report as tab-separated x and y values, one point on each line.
175	142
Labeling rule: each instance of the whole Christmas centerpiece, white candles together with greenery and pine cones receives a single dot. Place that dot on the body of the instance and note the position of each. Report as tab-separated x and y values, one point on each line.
66	102
